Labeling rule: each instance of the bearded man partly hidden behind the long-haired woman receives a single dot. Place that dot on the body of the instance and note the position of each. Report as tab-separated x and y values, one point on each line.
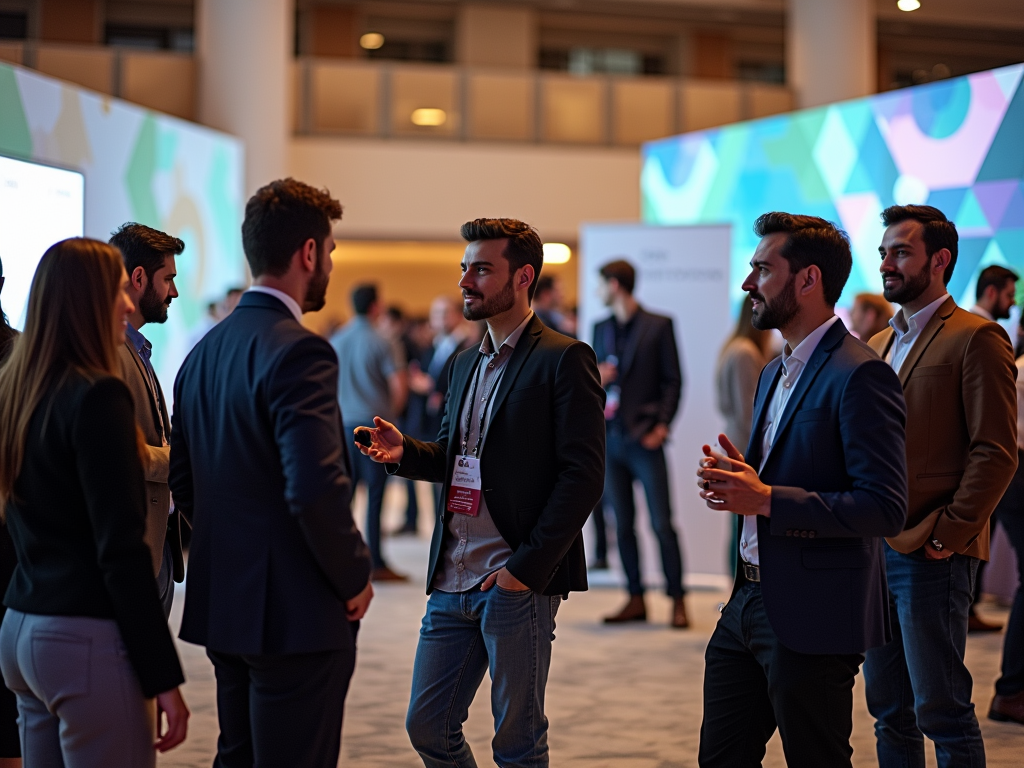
149	257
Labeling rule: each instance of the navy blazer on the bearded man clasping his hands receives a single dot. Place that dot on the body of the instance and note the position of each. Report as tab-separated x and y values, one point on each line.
838	472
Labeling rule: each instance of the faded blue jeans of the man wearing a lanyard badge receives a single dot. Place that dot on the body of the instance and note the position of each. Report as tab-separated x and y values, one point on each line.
463	636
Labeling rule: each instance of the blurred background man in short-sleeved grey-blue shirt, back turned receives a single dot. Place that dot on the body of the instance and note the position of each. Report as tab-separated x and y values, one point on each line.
371	381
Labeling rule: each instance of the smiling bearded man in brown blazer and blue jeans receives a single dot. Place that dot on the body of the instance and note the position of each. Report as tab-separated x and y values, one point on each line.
959	381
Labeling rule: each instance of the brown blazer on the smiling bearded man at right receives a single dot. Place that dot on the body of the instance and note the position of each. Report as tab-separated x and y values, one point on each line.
960	386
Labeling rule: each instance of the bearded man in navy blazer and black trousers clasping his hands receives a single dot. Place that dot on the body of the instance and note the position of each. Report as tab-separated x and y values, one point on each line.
823	481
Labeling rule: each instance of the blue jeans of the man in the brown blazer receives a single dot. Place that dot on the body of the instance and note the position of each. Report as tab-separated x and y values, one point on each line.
918	686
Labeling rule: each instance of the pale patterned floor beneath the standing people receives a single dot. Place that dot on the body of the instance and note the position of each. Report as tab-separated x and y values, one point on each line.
619	698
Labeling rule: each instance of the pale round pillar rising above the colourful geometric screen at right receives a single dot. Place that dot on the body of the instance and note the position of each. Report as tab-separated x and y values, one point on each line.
832	51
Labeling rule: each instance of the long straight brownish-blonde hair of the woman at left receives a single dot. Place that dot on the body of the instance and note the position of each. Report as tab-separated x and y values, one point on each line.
69	328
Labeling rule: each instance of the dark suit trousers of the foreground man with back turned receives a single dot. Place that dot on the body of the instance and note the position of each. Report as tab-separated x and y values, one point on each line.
277	711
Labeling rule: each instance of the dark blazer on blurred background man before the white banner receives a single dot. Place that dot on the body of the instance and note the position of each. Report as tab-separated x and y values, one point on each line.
650	374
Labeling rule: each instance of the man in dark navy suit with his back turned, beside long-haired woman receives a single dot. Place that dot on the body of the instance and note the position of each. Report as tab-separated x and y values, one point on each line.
278	573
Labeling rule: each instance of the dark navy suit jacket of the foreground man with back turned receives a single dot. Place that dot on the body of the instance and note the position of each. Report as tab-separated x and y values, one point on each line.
260	467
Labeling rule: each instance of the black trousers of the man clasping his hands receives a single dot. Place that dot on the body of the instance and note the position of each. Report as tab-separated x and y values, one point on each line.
754	685
